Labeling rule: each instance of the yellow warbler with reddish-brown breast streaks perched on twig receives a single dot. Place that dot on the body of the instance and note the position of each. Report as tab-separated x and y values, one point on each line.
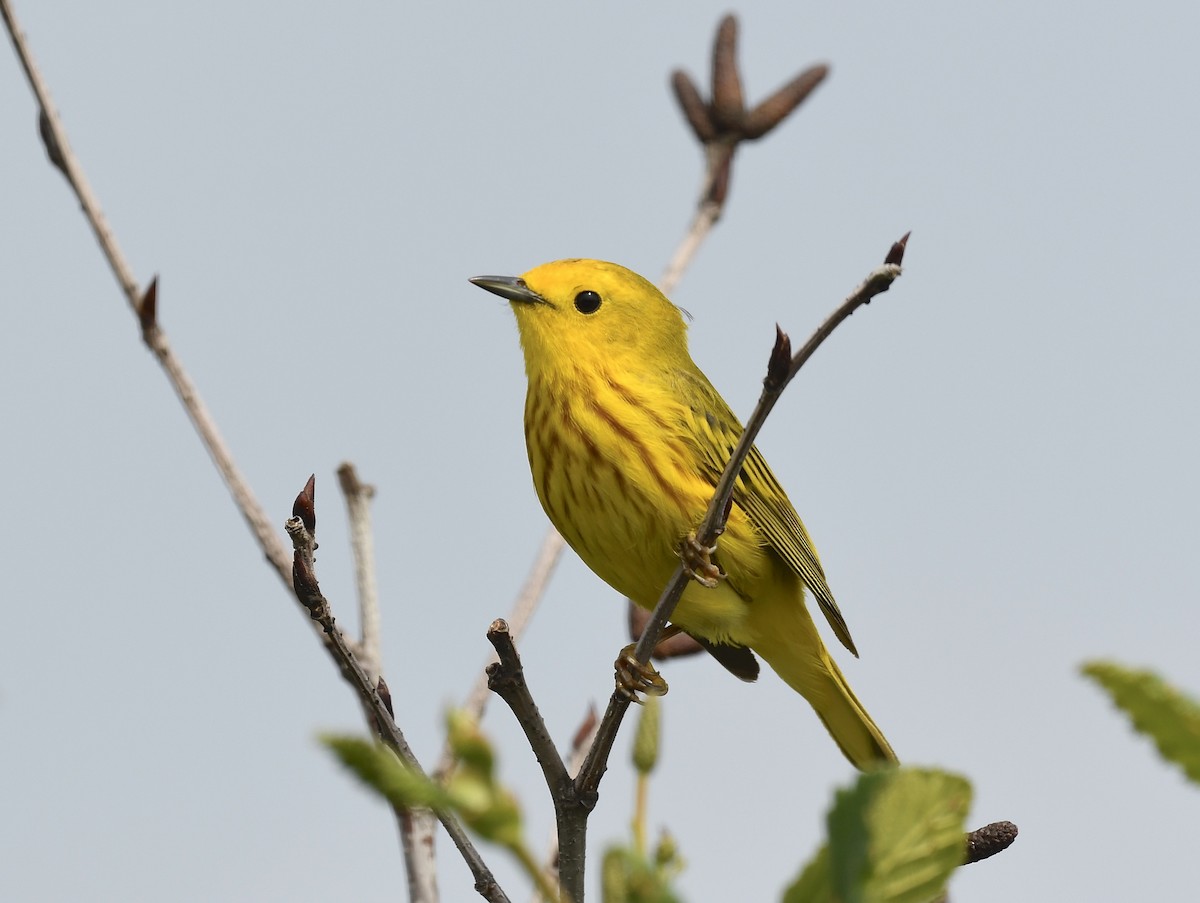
627	440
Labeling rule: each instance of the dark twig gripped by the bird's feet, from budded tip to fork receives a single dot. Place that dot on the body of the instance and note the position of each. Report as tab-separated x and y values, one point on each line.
782	369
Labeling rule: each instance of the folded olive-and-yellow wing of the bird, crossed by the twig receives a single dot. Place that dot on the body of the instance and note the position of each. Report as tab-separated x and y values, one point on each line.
759	494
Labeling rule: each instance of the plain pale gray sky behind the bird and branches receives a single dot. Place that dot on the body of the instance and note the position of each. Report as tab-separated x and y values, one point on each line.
997	459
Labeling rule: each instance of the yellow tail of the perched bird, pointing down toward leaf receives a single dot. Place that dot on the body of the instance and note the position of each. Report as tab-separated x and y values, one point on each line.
788	639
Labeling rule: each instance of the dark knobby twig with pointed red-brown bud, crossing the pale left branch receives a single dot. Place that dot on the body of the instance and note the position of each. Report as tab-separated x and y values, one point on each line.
311	597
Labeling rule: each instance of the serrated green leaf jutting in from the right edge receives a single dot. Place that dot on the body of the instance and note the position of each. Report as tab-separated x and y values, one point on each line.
1167	716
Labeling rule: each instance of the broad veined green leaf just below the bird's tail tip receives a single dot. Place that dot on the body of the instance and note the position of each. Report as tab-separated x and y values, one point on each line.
895	838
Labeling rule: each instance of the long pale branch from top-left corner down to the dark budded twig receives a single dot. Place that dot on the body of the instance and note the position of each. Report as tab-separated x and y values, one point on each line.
63	157
